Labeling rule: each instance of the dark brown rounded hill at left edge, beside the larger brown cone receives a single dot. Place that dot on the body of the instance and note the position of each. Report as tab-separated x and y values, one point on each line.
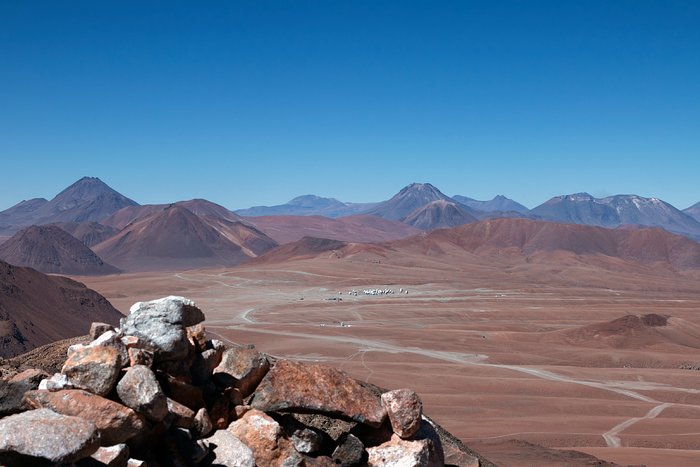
49	249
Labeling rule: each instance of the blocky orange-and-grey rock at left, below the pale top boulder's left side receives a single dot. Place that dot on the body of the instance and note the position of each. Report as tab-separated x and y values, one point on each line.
94	369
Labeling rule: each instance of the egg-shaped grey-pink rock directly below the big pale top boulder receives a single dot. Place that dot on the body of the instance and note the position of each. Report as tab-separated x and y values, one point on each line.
140	390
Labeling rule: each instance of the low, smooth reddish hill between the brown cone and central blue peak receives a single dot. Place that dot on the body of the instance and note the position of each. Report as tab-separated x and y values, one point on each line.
361	228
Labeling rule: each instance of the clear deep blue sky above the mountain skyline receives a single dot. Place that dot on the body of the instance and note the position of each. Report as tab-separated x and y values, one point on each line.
254	102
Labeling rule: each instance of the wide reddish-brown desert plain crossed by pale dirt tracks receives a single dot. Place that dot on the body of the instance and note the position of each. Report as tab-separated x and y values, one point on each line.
498	352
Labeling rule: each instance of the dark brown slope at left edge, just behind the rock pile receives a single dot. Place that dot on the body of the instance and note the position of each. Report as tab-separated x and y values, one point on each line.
36	309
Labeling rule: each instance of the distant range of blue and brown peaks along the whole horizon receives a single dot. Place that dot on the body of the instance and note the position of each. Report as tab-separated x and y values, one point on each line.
198	233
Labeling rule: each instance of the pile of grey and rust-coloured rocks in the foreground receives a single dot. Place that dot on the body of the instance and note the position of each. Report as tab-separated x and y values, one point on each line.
157	392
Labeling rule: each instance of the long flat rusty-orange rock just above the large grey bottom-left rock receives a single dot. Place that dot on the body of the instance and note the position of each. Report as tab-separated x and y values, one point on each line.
115	422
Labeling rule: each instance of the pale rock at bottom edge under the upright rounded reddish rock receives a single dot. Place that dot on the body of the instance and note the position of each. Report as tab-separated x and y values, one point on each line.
399	452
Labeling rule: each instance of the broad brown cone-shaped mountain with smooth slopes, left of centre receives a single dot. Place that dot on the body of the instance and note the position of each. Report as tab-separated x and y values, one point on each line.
174	238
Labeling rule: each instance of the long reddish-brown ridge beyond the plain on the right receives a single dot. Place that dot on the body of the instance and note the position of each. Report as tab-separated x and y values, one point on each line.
522	240
